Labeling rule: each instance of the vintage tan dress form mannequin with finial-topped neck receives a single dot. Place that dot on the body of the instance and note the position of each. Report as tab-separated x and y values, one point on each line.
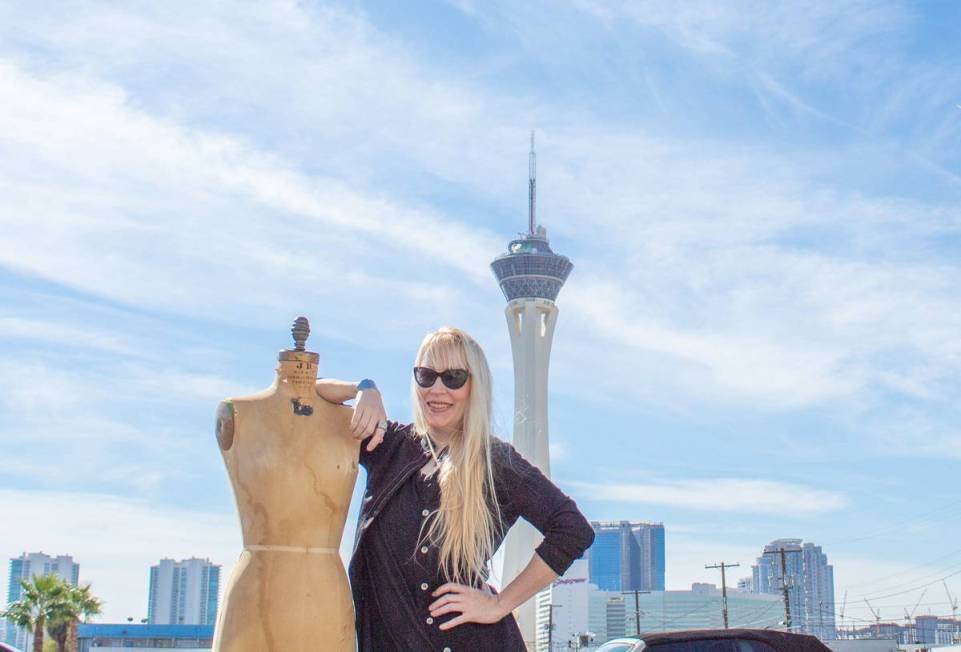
292	464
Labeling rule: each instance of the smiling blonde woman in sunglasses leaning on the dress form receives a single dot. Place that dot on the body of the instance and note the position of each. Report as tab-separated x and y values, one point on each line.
441	495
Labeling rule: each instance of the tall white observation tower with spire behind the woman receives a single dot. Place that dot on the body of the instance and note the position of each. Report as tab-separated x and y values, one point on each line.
531	276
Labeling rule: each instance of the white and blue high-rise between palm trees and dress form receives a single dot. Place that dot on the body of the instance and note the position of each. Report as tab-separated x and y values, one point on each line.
183	592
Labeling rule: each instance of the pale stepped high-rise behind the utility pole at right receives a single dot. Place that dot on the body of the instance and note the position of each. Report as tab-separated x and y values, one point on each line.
804	570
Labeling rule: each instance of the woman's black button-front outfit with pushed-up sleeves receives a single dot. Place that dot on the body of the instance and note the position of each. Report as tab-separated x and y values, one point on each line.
392	564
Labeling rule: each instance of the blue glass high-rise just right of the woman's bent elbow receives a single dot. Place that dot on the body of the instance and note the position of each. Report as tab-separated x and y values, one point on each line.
627	556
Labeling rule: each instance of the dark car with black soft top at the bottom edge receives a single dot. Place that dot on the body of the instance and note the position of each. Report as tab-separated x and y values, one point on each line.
718	640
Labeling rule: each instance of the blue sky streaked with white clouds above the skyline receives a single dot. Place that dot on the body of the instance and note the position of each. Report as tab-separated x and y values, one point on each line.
759	338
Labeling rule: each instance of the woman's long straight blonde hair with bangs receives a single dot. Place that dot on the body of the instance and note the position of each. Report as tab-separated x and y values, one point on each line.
465	526
